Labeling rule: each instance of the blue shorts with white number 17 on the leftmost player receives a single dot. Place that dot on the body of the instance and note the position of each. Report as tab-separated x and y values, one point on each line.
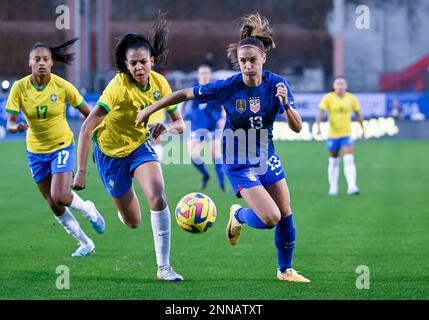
43	165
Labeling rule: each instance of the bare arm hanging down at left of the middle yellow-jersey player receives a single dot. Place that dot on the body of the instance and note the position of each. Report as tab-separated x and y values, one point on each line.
94	119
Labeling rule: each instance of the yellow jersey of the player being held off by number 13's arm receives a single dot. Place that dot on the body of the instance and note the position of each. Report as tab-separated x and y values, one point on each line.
117	135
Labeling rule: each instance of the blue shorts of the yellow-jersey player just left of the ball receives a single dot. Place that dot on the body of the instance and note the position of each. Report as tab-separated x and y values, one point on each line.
117	173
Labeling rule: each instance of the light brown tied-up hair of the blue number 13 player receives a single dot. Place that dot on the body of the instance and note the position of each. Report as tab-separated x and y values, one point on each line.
255	31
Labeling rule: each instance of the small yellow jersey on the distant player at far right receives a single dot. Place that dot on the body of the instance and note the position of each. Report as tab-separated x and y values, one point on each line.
339	113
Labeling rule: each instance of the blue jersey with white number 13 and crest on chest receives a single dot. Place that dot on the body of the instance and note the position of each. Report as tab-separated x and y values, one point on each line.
251	113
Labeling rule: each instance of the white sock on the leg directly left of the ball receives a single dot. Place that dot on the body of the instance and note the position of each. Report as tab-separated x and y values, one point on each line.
161	228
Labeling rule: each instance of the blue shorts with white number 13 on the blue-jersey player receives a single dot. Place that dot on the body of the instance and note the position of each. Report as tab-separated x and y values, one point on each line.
242	177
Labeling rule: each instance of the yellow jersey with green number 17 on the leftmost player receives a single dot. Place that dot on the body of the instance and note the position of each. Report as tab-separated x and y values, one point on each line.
45	112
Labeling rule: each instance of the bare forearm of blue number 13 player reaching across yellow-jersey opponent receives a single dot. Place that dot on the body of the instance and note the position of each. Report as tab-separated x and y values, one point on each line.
172	99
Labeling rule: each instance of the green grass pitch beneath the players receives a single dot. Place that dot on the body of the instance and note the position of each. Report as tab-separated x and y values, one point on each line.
385	228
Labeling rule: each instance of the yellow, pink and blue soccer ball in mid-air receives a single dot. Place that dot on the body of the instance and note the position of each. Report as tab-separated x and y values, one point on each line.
195	212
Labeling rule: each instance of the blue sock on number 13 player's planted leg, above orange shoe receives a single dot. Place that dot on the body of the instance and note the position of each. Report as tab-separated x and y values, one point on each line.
284	240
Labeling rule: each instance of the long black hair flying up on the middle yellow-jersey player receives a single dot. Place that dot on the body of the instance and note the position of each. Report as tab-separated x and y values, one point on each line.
156	45
